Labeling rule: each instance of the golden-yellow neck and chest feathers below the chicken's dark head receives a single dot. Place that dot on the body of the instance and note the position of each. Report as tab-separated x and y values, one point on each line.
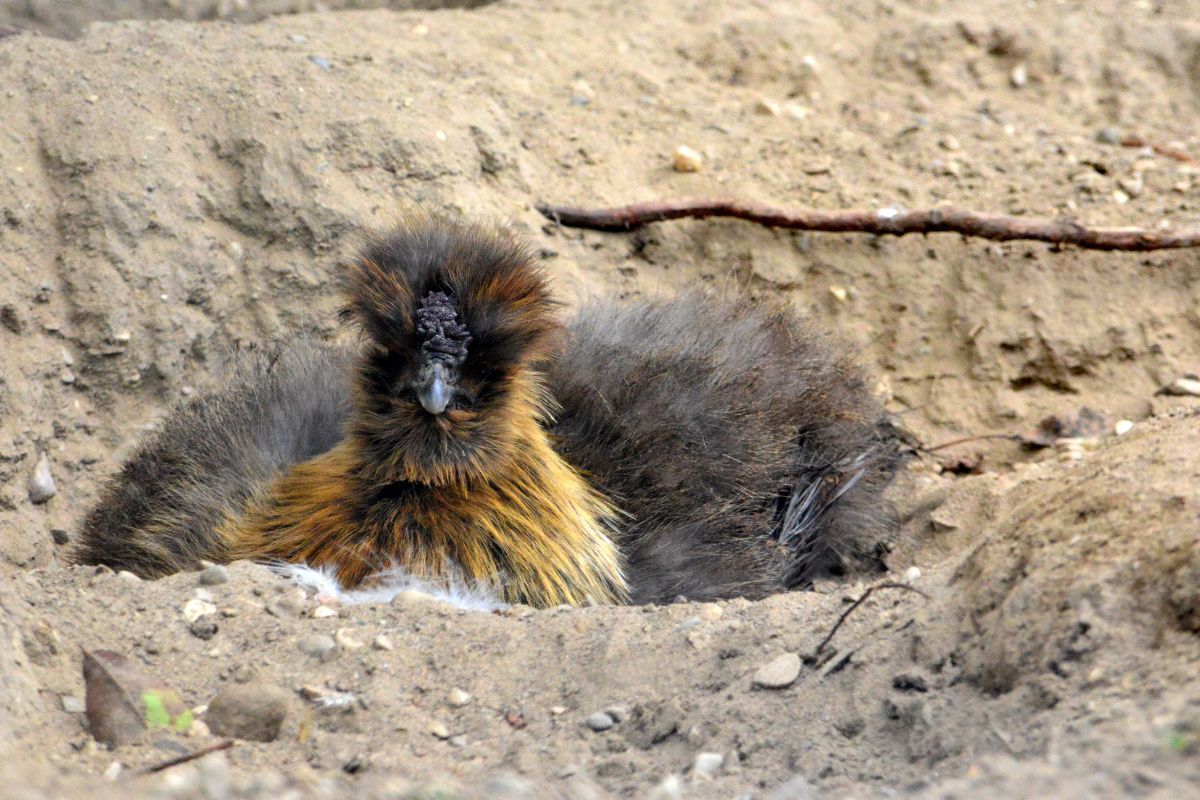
530	525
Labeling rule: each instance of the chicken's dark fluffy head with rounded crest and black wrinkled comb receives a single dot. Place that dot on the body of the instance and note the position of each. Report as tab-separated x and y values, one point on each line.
470	299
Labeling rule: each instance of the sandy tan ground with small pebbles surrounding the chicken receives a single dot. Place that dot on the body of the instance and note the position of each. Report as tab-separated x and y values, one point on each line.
170	189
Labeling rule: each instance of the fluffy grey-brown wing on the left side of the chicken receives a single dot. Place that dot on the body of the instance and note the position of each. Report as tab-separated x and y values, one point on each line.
207	460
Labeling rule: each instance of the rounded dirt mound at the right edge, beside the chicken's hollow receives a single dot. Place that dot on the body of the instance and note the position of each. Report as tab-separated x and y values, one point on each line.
1100	561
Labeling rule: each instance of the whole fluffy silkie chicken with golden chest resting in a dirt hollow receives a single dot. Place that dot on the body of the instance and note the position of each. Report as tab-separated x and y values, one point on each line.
707	447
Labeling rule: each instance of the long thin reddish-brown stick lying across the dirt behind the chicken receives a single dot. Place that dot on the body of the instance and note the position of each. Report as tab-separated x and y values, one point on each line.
895	222
